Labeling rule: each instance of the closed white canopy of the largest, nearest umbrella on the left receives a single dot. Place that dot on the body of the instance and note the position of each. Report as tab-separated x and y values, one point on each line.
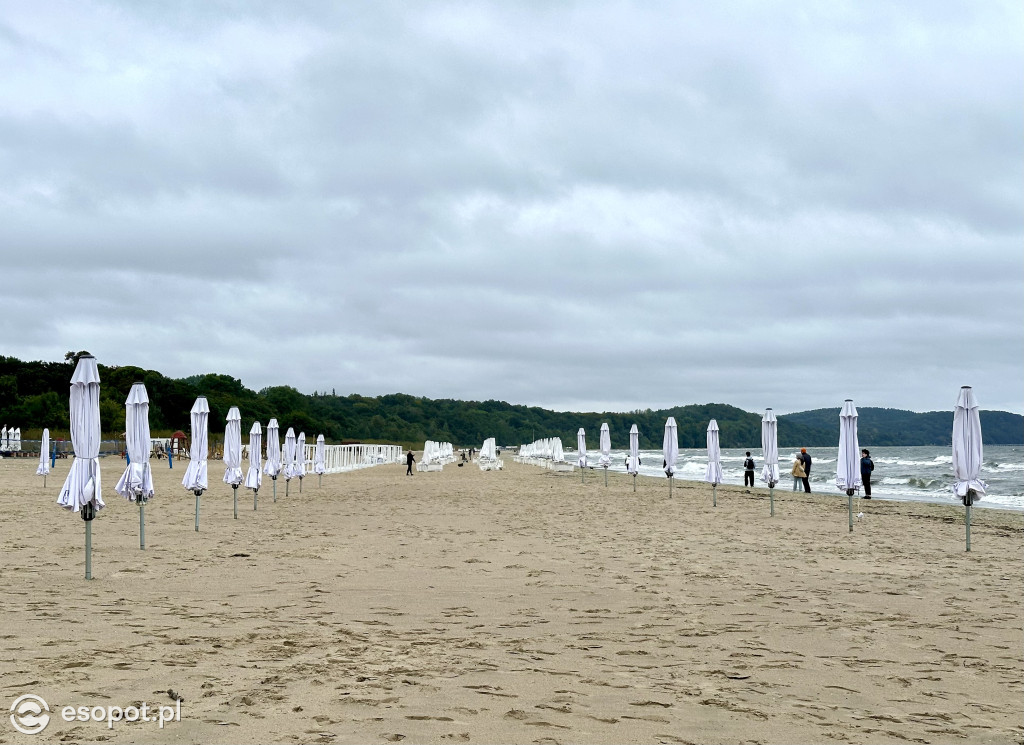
83	484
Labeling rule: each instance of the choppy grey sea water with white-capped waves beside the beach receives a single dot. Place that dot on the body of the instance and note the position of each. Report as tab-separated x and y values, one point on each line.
916	474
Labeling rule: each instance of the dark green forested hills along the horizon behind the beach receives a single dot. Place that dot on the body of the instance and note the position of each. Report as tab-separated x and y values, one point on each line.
34	396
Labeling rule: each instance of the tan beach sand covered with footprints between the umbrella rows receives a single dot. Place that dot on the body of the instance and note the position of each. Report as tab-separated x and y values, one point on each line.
511	607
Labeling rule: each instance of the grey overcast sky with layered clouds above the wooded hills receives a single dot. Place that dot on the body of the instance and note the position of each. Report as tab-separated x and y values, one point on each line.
593	206
